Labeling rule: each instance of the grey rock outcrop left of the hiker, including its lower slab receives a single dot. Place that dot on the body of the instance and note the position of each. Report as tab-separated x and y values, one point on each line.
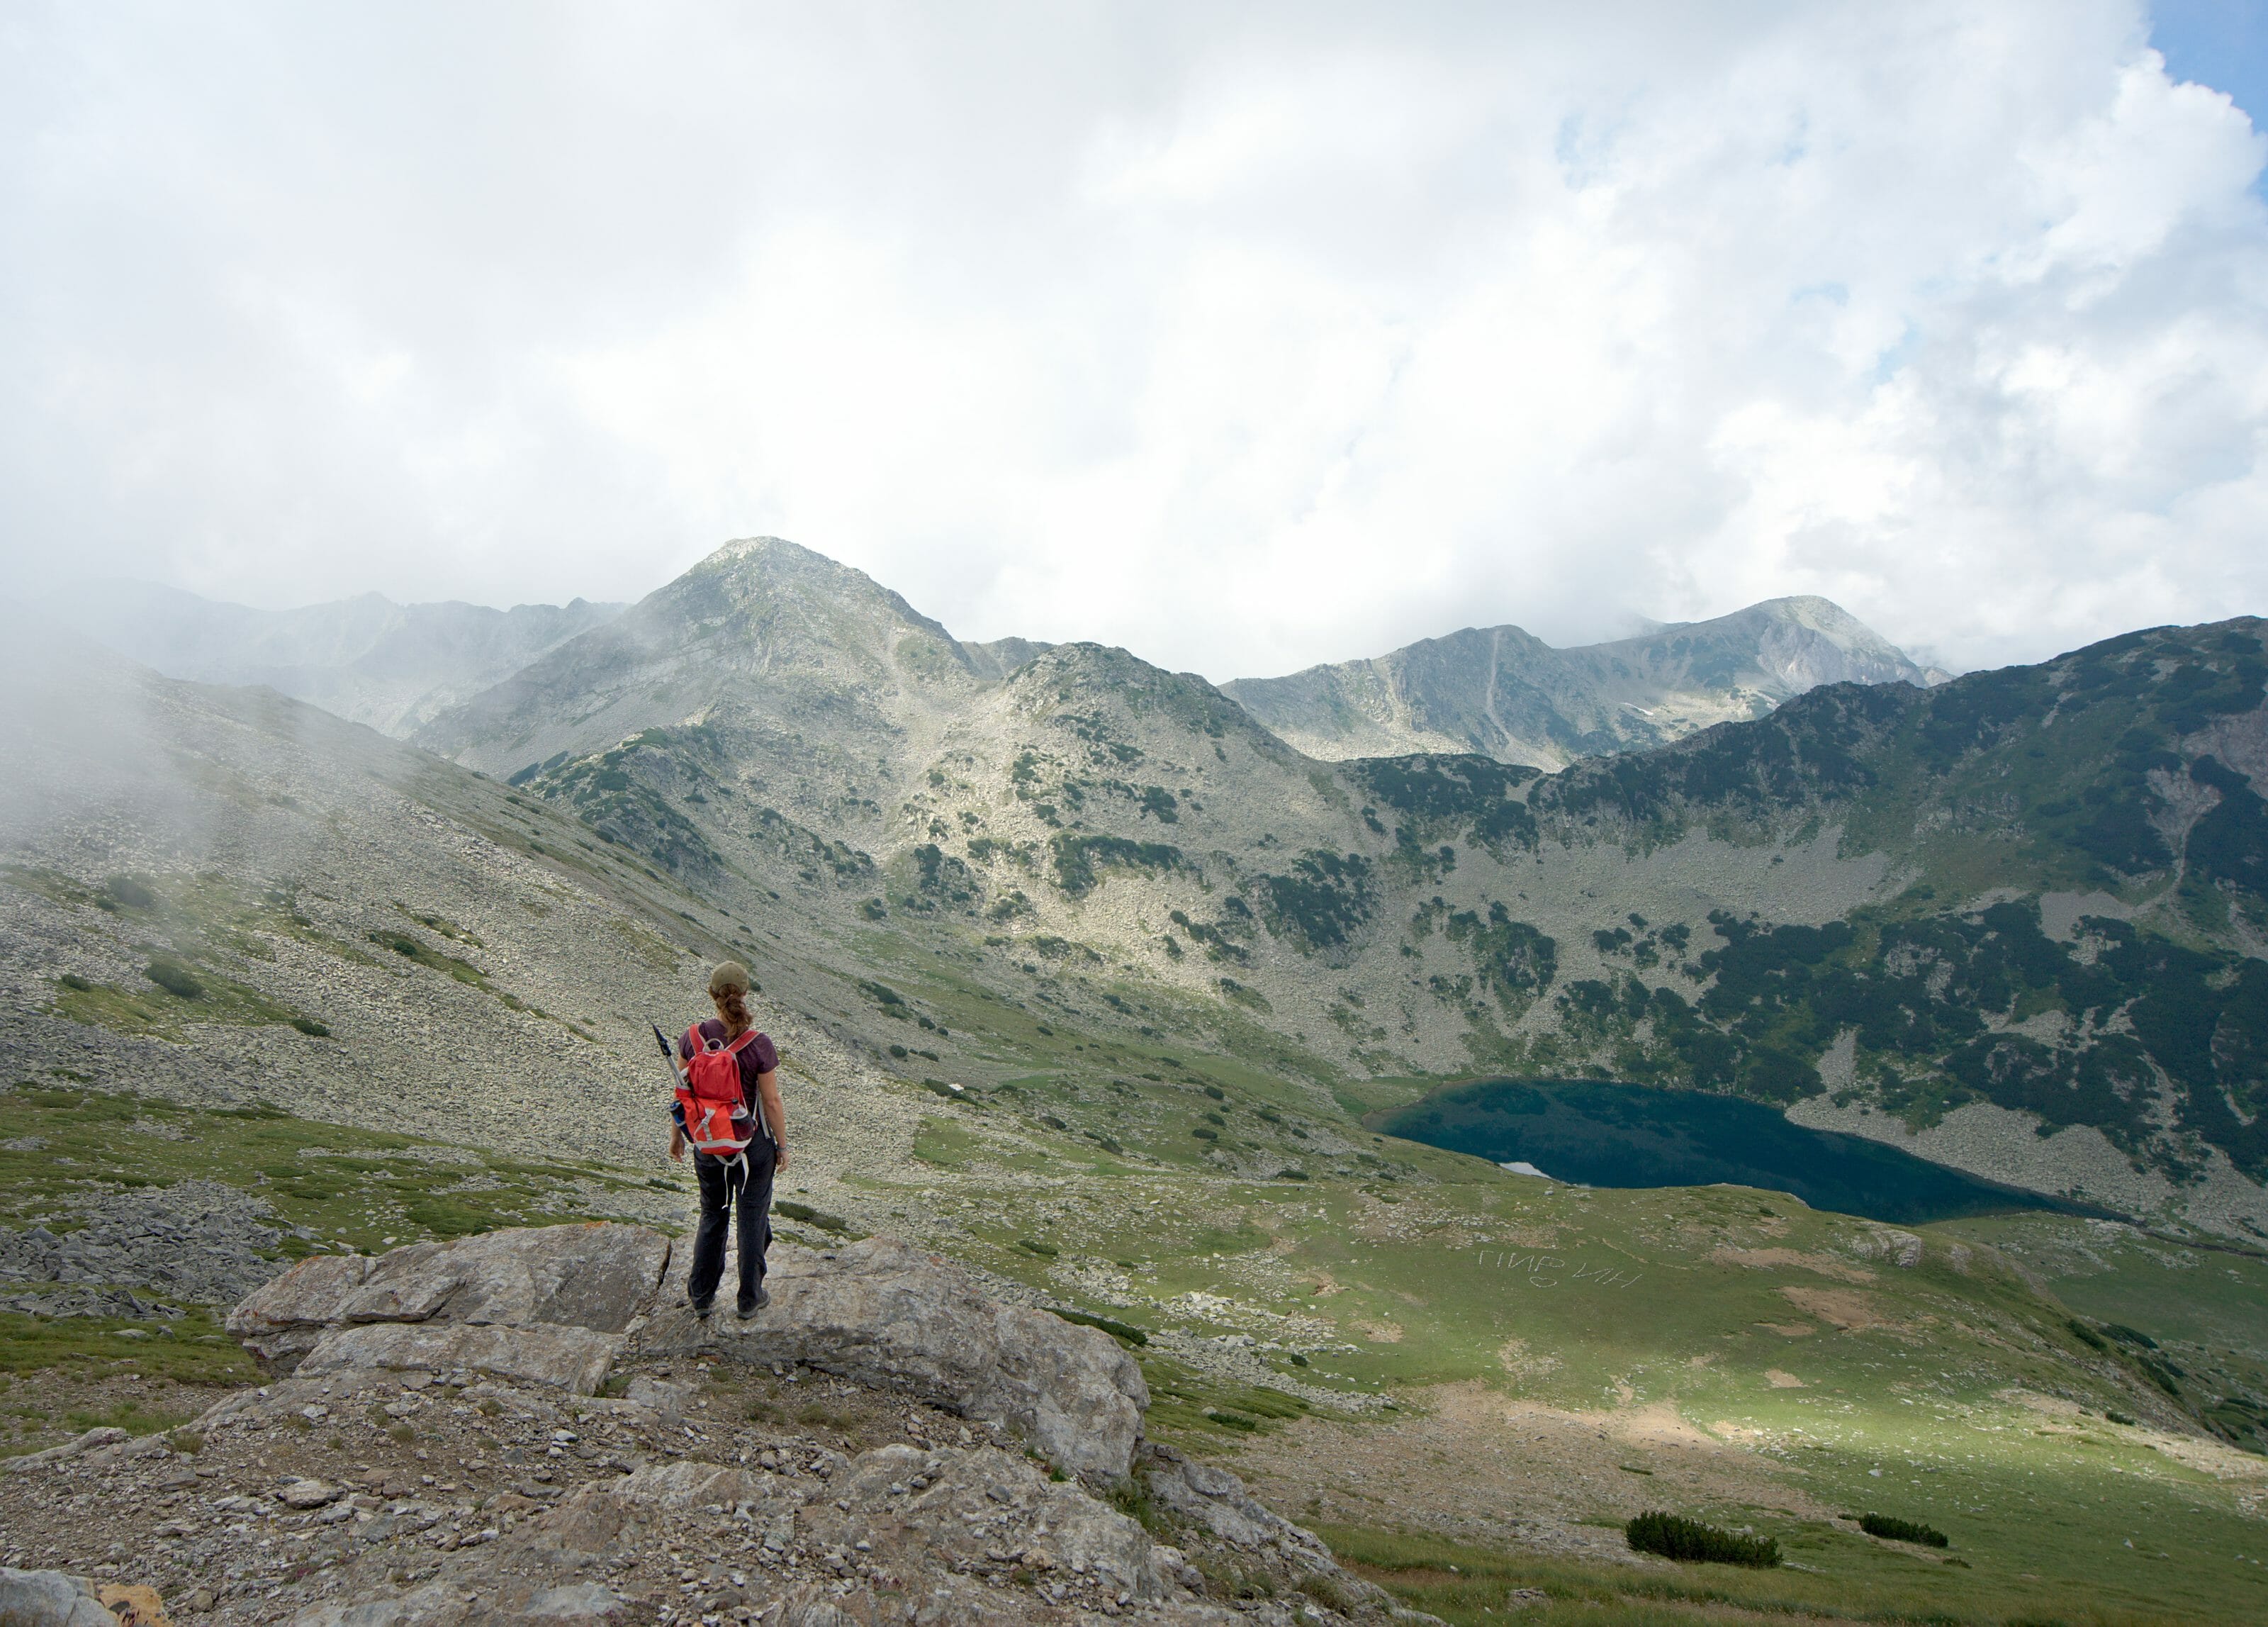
541	1304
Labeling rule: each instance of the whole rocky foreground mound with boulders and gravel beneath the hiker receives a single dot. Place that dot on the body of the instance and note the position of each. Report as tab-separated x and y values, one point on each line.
450	1487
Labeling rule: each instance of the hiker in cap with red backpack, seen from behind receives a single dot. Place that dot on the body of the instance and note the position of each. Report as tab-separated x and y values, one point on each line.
741	1140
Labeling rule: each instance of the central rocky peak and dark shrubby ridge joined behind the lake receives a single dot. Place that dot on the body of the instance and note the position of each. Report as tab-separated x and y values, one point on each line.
2013	922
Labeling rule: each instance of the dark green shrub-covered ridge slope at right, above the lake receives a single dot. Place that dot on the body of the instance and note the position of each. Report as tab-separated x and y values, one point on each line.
2099	773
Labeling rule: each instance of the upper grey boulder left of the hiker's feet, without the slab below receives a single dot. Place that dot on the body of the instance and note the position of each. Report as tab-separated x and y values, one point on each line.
595	1276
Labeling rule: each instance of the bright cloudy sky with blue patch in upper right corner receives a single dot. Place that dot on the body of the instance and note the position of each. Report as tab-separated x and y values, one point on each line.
1246	337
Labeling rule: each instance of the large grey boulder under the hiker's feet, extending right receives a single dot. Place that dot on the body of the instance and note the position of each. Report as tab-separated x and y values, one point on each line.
895	1317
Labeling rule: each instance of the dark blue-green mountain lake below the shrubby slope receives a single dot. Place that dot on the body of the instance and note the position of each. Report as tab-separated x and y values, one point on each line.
1632	1136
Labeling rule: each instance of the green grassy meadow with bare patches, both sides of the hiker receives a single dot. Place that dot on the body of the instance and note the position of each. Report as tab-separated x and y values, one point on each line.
1464	1379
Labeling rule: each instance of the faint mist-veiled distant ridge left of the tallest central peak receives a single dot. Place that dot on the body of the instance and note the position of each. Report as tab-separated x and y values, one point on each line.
366	659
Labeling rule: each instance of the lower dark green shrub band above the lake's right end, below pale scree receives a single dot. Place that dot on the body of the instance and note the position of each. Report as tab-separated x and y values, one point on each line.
1920	990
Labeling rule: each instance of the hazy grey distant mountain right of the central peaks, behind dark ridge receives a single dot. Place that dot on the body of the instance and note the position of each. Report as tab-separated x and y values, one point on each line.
1507	696
